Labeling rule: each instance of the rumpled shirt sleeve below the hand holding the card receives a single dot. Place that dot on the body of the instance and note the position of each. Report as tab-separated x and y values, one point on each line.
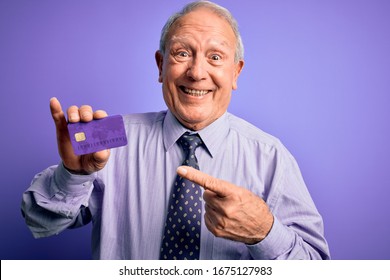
56	200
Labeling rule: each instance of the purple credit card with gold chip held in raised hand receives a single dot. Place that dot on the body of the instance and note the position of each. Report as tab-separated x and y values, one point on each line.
97	135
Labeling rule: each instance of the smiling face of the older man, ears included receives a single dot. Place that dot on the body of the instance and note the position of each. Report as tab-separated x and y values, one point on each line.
198	71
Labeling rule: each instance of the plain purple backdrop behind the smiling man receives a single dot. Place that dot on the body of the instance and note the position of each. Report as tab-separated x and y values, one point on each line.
317	76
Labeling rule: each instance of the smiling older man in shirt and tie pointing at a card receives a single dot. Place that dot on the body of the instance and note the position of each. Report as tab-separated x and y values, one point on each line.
238	194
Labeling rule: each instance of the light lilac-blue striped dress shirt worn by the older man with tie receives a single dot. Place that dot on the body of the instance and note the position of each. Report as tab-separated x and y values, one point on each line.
127	200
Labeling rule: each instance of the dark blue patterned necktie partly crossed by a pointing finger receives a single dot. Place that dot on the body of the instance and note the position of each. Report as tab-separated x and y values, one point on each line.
181	240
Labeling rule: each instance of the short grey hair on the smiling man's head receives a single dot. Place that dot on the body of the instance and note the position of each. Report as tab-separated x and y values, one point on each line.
219	10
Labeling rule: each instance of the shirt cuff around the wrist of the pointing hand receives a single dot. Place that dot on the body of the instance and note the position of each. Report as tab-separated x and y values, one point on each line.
277	243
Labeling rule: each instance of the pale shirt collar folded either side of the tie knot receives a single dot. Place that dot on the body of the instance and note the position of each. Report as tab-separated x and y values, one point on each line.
212	136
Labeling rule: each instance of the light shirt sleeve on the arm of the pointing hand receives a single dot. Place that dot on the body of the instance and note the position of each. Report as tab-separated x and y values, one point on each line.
298	231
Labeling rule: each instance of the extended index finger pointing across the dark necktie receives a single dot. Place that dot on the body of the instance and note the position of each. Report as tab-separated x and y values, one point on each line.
220	187
